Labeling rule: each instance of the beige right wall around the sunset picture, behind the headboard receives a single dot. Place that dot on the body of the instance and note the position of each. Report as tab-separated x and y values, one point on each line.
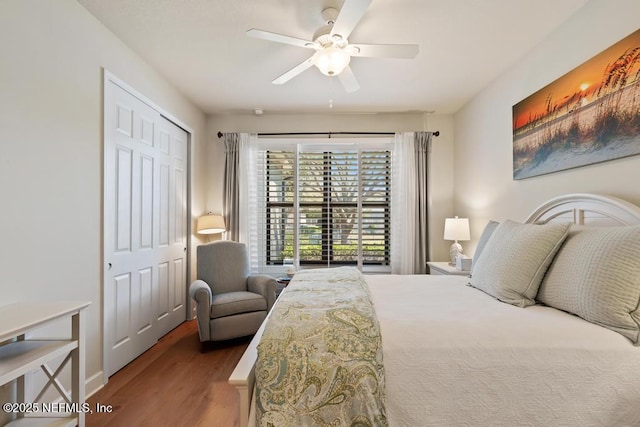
484	188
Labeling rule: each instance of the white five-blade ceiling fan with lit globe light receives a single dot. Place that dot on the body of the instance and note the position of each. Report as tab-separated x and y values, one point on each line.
332	48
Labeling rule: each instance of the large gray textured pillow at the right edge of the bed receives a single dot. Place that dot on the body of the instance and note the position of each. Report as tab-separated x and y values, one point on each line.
596	275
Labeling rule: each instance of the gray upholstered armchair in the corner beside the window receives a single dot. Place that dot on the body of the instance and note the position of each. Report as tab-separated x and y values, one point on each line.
230	302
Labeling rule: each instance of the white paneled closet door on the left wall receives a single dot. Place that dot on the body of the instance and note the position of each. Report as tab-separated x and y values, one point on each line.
145	226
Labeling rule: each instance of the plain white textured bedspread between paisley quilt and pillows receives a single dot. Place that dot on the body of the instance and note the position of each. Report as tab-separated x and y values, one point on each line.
454	356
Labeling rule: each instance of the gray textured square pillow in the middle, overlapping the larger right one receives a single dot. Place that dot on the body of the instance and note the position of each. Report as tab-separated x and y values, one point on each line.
515	259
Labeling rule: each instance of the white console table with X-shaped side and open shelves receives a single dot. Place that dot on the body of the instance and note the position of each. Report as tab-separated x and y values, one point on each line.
20	355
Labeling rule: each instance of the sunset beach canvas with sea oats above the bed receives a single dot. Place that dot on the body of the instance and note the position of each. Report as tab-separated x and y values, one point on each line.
589	115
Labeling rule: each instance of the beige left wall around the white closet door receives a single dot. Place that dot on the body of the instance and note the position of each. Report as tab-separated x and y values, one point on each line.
53	53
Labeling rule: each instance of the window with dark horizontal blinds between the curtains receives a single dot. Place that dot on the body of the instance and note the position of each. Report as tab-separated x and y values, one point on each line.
327	205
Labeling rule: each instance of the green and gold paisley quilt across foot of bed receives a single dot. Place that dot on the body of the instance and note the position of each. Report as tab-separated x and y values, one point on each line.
320	357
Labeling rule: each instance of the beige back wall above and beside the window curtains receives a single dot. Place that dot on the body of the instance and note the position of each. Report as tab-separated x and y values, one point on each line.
441	164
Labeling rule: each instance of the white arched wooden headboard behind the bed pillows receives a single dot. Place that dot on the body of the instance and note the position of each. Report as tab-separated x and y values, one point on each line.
587	209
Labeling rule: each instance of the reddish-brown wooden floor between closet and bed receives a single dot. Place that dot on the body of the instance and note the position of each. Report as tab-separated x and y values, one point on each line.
173	384
